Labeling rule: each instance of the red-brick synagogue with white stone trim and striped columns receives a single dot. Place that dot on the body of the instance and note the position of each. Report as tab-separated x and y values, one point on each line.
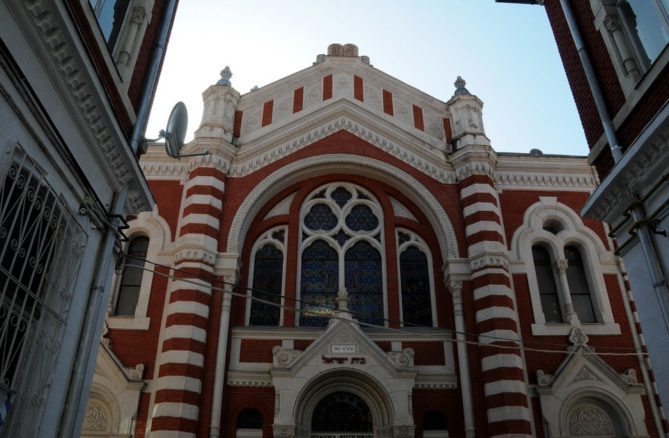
353	258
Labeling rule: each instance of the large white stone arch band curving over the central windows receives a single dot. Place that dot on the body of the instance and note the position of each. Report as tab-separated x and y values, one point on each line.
312	166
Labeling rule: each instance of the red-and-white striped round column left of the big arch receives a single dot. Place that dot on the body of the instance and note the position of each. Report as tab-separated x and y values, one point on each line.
181	360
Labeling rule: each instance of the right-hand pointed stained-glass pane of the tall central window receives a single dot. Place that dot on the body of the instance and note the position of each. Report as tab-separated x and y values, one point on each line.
363	282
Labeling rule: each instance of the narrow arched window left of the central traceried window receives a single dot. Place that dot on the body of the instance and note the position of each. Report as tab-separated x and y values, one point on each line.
267	279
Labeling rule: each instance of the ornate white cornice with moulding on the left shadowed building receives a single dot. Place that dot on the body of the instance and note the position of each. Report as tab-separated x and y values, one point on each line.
45	24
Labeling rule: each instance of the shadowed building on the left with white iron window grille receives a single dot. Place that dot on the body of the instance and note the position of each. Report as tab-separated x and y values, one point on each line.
76	82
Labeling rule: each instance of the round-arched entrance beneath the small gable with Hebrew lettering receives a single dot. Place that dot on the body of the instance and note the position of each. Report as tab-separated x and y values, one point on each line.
341	390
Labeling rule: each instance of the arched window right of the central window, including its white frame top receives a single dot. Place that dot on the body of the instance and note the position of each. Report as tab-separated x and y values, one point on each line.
415	280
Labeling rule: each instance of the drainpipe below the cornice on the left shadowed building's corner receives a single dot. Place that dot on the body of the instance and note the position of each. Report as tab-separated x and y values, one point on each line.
95	310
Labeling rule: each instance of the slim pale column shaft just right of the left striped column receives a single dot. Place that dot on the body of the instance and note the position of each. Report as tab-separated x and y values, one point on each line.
221	352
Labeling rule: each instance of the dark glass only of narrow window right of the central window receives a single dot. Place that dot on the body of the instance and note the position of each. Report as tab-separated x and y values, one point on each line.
415	279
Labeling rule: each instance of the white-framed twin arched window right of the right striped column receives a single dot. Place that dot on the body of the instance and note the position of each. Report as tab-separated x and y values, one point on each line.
565	263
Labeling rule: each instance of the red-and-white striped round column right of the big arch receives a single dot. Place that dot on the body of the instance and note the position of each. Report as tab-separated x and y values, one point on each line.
506	399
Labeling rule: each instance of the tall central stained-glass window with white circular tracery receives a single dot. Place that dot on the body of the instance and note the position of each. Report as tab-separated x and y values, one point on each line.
341	247
